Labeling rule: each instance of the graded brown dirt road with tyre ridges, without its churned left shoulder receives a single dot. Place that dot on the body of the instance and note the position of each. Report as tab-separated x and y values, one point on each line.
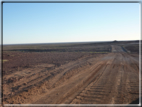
112	79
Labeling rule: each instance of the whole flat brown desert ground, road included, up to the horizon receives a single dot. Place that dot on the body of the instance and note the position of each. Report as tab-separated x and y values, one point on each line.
71	73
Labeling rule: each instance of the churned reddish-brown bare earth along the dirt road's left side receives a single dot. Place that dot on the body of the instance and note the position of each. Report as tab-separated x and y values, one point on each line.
27	83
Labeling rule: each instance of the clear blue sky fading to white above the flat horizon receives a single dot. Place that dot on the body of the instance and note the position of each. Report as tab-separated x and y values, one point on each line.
70	22
